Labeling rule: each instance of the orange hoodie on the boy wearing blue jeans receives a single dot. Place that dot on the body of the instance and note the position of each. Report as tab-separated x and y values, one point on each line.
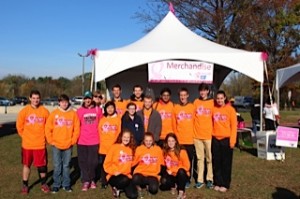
62	128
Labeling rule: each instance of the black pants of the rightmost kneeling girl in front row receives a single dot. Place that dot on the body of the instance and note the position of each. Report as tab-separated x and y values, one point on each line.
168	181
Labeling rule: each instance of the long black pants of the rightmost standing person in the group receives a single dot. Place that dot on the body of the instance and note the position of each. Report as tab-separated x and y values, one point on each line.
222	162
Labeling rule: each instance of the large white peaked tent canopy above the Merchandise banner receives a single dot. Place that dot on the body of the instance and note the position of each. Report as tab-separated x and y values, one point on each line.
170	39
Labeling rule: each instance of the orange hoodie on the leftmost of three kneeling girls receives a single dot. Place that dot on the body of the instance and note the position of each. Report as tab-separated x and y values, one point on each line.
118	160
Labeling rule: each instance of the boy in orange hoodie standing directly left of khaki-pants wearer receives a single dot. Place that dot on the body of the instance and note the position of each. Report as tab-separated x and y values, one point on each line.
183	125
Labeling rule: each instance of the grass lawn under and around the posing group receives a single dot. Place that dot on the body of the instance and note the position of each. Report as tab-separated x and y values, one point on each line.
251	178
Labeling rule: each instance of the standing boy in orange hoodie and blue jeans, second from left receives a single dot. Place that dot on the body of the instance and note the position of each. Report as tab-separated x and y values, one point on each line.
62	132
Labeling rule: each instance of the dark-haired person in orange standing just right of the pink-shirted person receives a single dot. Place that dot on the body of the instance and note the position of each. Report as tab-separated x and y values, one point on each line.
109	129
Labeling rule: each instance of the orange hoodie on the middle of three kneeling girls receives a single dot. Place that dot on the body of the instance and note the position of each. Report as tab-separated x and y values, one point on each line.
148	160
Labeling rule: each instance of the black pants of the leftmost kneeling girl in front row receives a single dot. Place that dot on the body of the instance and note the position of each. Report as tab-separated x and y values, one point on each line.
122	182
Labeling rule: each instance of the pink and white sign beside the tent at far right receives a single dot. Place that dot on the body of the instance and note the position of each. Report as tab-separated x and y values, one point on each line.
287	137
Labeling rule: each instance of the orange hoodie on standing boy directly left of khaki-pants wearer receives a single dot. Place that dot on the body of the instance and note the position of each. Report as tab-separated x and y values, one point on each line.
183	123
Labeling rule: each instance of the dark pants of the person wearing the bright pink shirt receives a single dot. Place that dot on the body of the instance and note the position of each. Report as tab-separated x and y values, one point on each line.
88	161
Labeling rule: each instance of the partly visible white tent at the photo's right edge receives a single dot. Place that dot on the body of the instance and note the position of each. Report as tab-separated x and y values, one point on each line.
285	76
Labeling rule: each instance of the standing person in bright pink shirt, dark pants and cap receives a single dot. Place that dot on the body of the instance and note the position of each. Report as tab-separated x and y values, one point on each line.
88	142
